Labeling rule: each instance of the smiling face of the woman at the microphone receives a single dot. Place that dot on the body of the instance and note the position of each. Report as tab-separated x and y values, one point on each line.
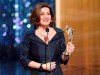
45	16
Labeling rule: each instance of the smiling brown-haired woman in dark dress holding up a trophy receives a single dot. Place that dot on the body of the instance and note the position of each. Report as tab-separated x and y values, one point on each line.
43	50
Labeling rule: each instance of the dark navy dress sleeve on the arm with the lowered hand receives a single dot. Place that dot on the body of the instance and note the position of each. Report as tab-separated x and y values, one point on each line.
24	51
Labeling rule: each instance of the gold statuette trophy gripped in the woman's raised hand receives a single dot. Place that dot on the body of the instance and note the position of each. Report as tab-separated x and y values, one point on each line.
70	33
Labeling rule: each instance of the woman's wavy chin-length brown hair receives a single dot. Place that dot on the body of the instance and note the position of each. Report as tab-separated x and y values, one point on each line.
35	16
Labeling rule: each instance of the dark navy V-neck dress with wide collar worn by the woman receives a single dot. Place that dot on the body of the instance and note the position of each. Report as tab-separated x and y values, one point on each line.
33	48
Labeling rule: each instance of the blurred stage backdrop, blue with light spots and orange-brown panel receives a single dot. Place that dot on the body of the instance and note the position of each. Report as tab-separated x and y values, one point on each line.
82	15
